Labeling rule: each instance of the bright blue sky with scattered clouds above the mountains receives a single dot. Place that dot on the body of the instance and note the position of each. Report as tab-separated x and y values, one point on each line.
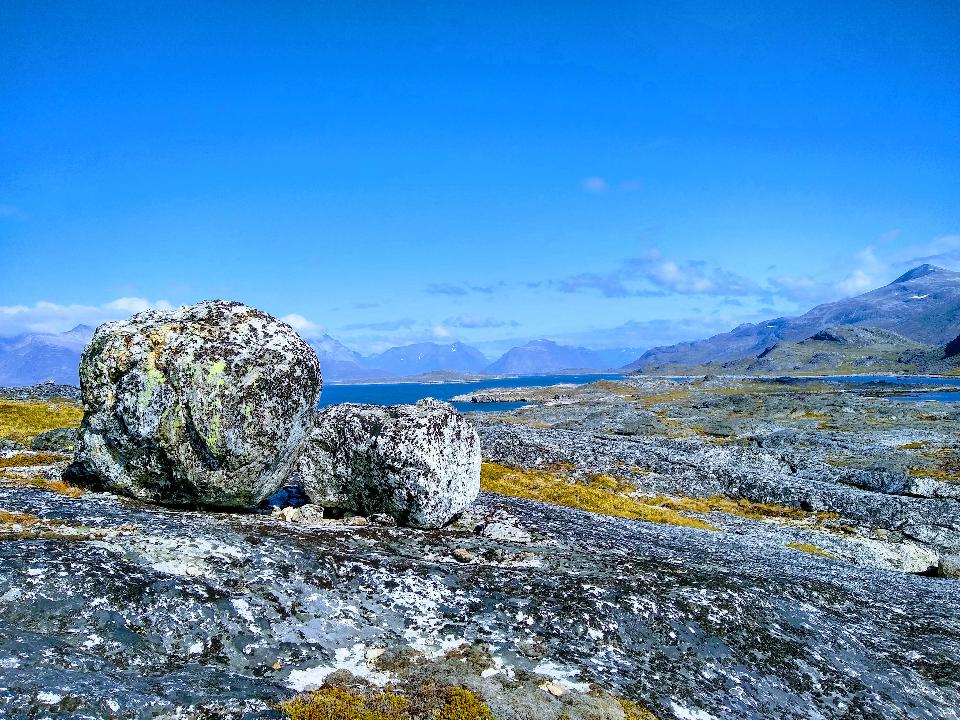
611	174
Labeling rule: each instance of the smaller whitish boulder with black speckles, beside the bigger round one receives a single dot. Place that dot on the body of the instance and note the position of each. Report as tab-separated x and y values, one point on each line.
418	463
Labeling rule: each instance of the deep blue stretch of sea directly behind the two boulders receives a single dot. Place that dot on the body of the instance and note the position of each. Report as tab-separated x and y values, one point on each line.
405	393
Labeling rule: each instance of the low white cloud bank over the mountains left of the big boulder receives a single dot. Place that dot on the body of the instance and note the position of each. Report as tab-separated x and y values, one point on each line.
52	317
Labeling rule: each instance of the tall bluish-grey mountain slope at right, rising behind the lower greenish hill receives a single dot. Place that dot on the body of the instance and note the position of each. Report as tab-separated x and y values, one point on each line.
922	306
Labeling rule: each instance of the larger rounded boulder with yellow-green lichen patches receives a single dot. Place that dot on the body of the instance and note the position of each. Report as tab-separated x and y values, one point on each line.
205	405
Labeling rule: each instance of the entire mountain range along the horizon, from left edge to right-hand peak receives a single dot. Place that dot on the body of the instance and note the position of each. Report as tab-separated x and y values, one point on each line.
910	325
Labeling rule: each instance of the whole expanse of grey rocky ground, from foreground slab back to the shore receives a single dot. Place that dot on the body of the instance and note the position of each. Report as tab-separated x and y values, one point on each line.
826	593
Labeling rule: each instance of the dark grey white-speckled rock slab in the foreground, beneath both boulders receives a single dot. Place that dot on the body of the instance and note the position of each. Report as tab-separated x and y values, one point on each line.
168	613
